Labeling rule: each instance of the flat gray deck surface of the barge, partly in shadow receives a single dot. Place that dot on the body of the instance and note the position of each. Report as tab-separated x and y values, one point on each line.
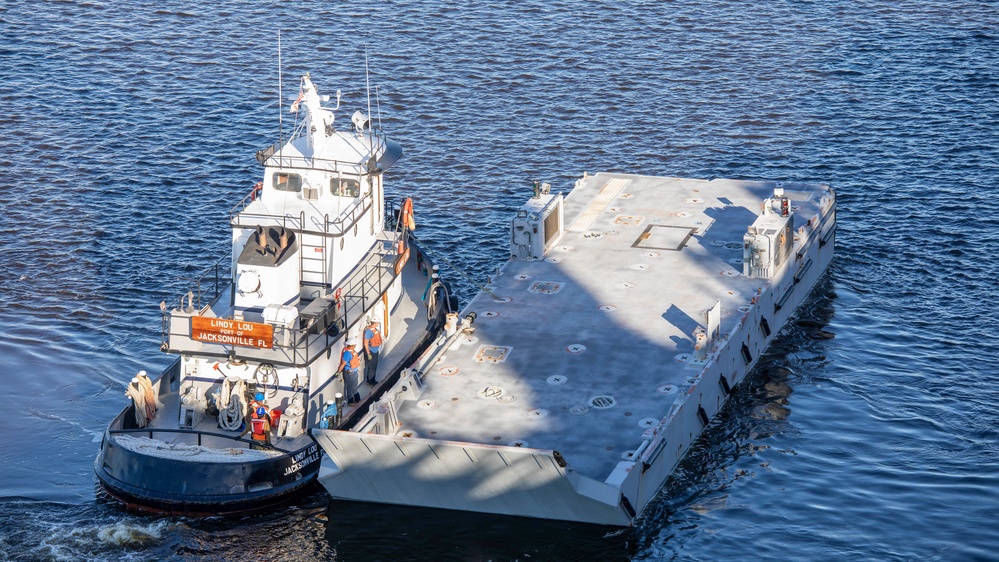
582	351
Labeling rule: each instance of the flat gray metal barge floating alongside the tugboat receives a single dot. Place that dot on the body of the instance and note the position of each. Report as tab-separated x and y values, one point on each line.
571	386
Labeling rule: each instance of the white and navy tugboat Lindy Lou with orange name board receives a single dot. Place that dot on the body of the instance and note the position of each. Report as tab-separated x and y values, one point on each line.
319	261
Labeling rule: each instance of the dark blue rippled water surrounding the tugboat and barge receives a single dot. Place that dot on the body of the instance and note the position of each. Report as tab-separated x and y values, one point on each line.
870	430
